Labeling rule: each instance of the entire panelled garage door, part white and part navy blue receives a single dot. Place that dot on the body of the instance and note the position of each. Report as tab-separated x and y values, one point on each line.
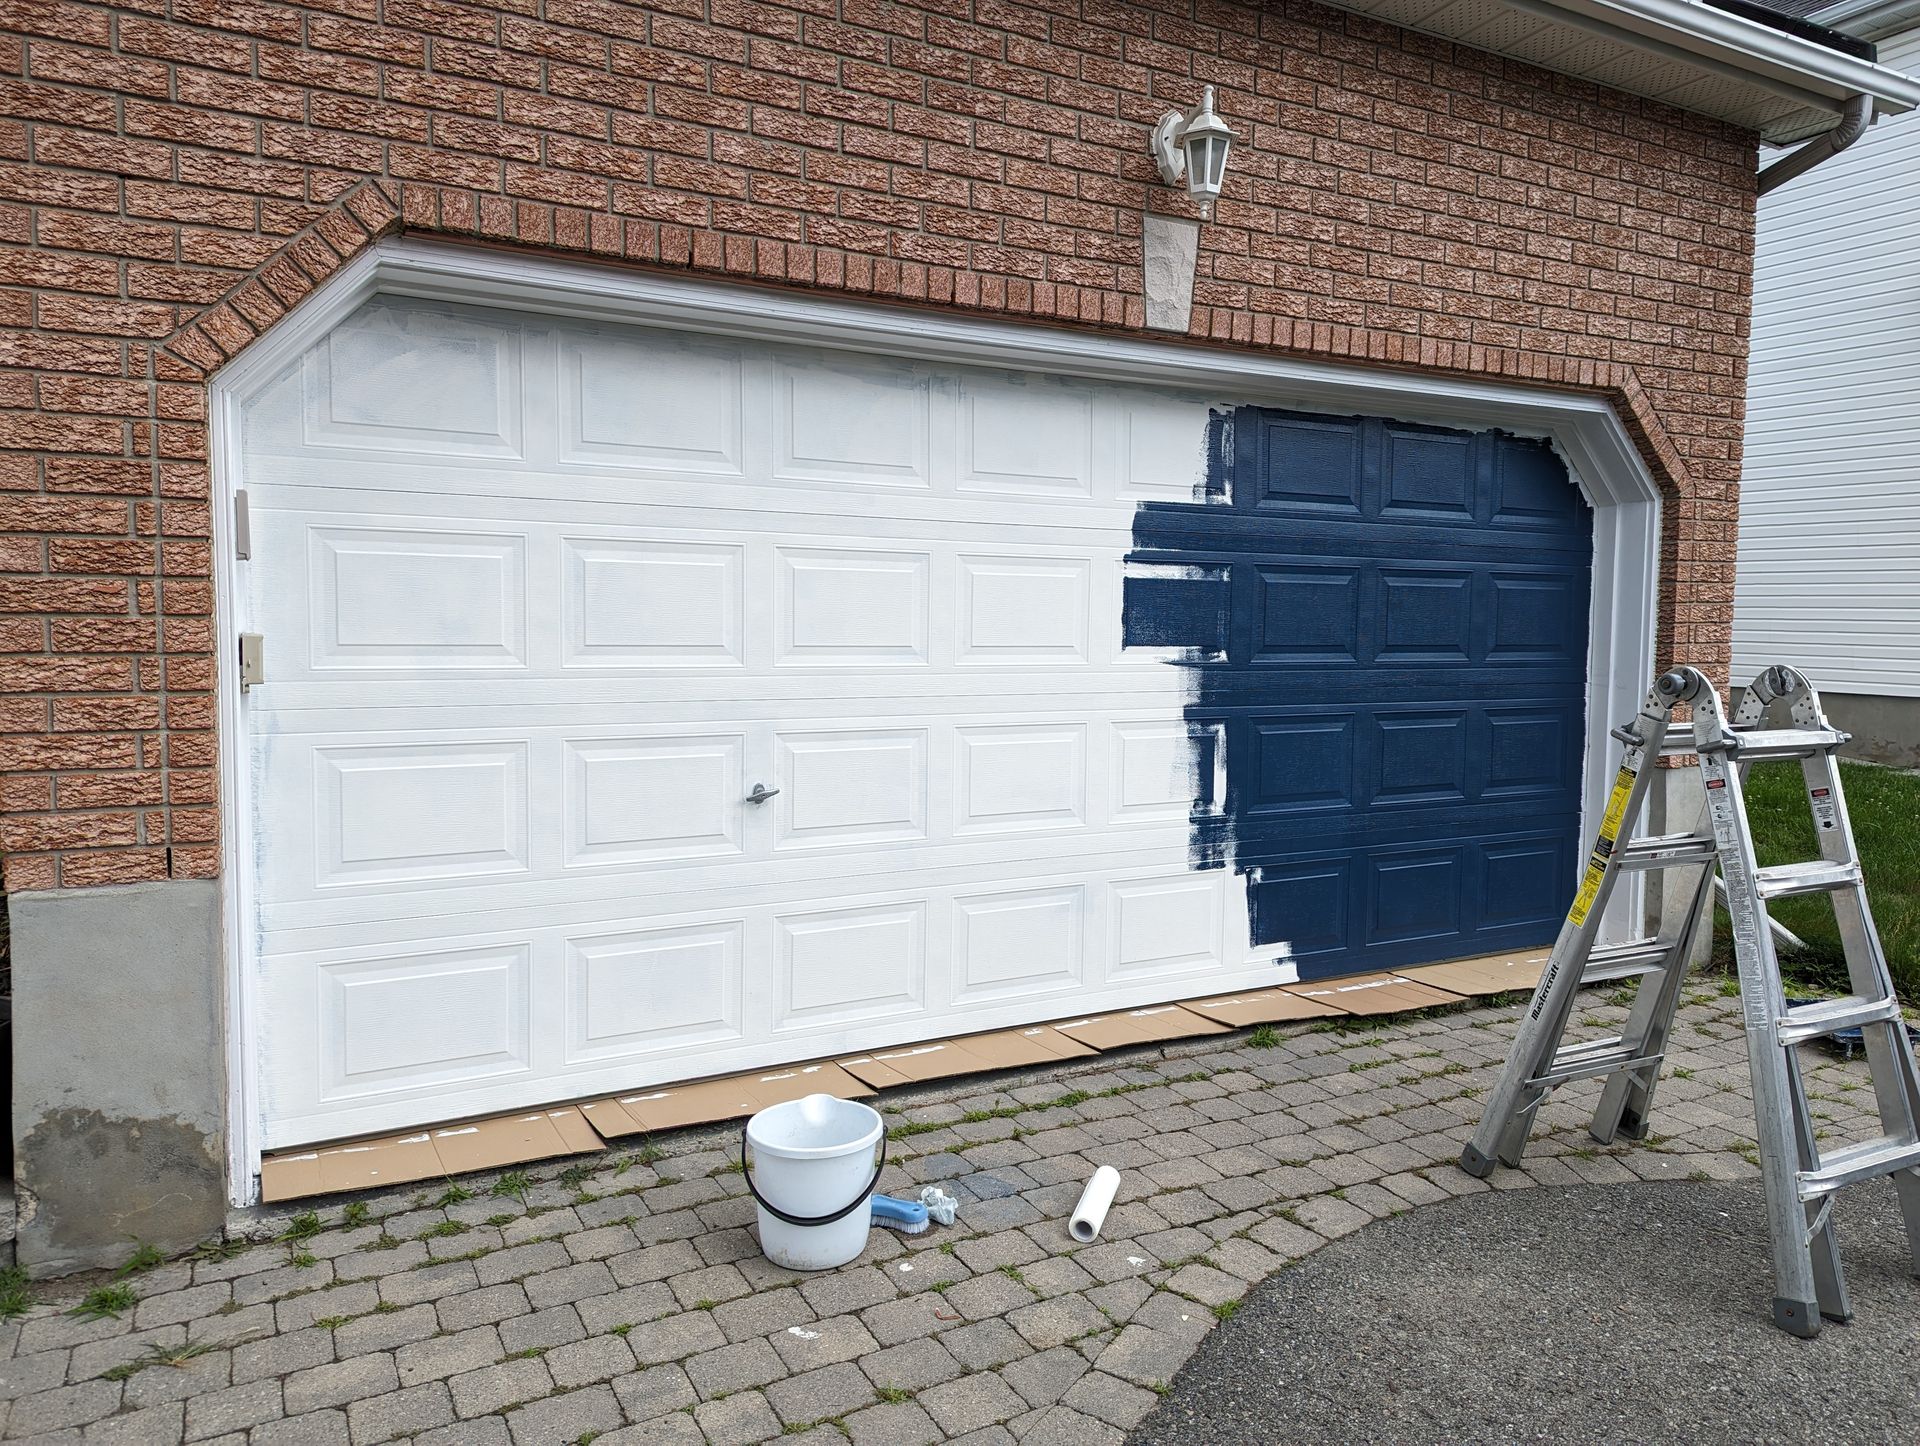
642	706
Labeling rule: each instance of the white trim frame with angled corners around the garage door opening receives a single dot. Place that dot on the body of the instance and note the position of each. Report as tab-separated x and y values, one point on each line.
1585	429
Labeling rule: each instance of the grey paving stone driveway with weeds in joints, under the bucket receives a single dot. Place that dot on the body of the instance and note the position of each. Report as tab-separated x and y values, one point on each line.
627	1301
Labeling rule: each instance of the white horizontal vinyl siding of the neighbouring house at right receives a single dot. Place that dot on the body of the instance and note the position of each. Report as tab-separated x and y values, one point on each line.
1831	494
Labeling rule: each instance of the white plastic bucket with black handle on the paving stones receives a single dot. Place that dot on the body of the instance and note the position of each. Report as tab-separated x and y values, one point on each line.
813	1176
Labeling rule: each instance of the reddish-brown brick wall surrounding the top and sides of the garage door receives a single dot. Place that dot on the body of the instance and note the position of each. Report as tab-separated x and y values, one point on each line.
178	174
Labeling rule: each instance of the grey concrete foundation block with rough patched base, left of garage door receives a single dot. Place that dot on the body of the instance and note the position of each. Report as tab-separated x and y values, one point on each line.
120	1072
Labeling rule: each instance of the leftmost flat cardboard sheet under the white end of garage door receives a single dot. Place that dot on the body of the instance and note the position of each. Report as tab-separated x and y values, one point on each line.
433	1153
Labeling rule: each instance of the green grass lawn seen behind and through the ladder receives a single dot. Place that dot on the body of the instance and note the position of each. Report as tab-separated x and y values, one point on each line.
1884	807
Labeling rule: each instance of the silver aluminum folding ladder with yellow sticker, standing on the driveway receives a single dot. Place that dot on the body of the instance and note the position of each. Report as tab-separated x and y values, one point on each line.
1800	1180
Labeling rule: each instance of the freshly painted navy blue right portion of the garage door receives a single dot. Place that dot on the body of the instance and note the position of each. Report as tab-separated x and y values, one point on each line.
1387	627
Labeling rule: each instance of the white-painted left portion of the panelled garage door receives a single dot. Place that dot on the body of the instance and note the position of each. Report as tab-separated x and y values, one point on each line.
546	602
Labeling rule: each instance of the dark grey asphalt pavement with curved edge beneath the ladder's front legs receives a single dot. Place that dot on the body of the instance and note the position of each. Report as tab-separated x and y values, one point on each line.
1589	1314
